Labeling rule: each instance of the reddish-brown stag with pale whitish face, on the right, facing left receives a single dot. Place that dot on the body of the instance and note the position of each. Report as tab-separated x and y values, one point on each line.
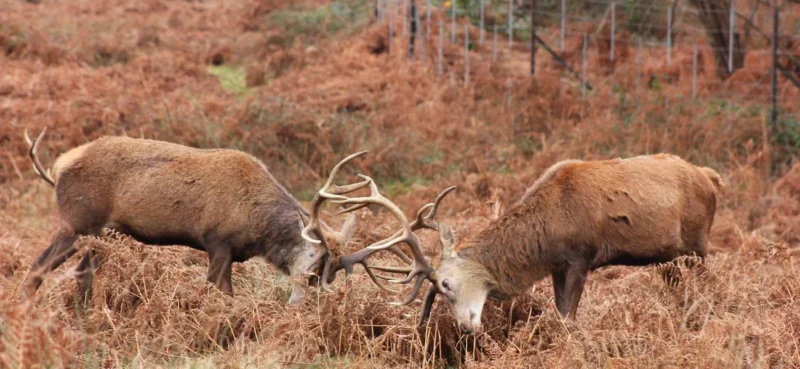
577	217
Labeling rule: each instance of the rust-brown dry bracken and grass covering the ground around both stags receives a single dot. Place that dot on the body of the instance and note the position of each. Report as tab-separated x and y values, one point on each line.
300	86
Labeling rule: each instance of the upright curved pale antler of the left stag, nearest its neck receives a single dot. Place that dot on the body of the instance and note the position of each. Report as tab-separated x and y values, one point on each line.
329	191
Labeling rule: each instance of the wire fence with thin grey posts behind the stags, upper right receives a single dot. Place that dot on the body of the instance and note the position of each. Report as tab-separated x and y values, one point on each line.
589	46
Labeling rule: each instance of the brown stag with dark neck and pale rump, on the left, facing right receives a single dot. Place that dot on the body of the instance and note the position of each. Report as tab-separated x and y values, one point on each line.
223	202
